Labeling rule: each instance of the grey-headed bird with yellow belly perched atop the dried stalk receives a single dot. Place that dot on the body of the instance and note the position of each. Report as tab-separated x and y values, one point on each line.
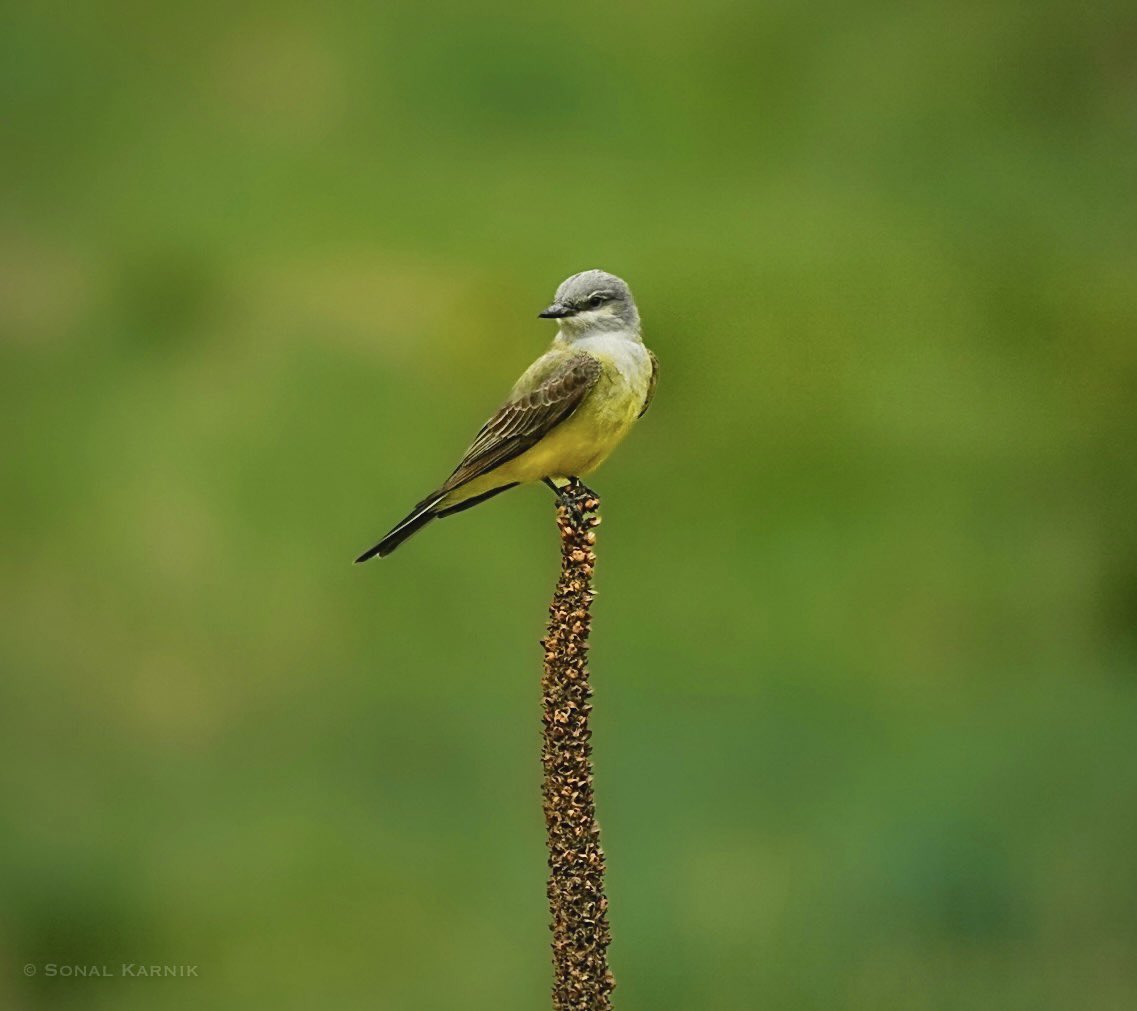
566	415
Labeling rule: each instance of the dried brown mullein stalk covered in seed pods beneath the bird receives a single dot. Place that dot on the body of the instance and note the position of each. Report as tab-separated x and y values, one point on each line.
577	900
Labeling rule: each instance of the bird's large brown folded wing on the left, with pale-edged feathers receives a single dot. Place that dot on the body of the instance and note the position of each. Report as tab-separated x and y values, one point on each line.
527	419
